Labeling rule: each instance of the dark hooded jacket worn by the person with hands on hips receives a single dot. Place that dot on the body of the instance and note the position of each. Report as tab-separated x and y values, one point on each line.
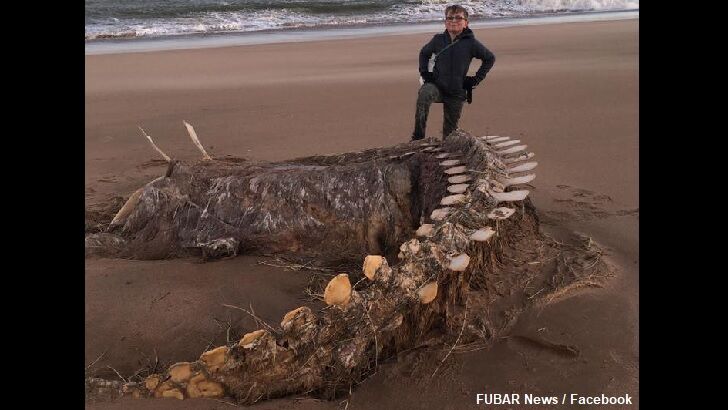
452	65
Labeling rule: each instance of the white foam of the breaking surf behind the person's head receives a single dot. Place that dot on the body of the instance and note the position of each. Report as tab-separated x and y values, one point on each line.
248	20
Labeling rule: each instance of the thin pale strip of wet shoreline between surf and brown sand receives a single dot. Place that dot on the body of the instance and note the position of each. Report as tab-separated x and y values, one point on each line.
218	40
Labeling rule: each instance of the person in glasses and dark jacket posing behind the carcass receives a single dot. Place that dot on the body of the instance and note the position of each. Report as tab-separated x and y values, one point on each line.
448	83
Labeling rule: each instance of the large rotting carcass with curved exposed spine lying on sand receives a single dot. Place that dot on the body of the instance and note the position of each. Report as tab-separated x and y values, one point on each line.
418	223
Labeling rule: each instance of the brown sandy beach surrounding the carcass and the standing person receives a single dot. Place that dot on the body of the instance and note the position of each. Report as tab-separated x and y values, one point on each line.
569	91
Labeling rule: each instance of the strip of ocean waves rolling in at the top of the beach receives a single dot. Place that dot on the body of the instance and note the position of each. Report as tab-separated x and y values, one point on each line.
117	22
